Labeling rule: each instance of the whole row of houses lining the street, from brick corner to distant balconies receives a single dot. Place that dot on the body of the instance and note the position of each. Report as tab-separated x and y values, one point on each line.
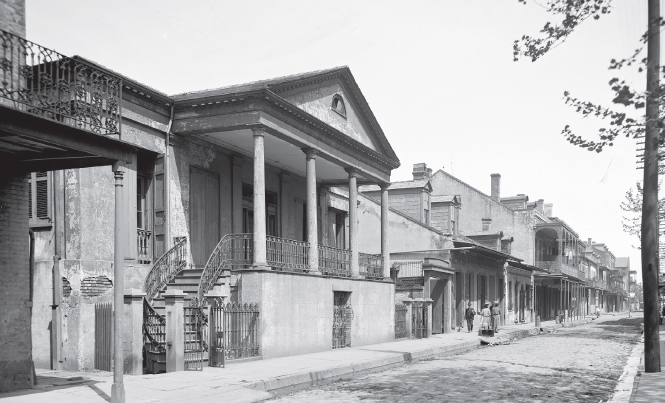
275	193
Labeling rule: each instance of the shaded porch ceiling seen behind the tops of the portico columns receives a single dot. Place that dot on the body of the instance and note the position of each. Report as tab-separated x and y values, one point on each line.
278	153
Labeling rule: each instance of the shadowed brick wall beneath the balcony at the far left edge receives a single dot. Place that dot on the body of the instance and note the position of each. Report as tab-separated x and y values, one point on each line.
15	299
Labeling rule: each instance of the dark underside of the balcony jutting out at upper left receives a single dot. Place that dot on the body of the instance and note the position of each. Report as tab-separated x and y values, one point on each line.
32	143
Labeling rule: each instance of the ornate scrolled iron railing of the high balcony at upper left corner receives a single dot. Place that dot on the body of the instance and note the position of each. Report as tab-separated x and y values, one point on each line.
45	83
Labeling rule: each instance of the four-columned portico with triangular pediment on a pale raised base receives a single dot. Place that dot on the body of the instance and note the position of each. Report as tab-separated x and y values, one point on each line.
286	142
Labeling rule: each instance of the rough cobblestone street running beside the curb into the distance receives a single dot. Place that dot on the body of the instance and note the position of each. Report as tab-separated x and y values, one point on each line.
580	364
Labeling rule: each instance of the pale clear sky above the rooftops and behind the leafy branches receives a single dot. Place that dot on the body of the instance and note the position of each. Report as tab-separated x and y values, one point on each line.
439	76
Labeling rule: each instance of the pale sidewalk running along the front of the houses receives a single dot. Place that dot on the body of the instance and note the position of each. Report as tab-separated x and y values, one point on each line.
251	381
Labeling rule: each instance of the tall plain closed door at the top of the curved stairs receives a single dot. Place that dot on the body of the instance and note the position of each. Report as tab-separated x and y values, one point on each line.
204	214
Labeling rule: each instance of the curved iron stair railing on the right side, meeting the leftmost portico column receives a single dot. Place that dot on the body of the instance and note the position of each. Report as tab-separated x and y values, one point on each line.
233	252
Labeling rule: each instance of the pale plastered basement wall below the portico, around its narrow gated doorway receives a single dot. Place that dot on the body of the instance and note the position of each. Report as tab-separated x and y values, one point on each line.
297	311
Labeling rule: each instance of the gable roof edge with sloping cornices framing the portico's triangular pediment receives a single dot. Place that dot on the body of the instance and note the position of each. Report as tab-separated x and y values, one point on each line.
284	83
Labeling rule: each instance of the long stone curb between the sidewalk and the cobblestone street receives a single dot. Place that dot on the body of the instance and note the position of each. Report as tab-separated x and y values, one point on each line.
291	383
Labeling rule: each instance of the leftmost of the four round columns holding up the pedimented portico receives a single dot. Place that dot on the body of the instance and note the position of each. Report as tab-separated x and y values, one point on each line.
260	261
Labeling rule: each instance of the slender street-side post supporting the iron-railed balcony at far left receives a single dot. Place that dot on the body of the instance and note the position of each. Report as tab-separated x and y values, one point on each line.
118	387
